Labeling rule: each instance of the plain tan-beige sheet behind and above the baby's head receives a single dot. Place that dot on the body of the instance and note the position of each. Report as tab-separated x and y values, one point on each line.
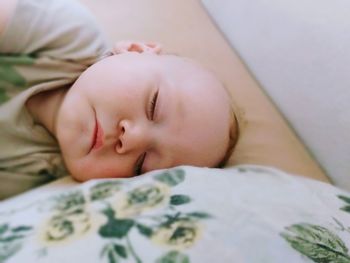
183	27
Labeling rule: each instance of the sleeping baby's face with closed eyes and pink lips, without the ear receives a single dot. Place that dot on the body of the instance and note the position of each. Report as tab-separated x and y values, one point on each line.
132	113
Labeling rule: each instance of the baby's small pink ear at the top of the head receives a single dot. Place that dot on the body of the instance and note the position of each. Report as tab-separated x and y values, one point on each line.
136	46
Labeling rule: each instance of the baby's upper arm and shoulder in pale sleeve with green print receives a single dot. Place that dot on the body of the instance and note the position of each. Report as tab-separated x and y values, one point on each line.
44	40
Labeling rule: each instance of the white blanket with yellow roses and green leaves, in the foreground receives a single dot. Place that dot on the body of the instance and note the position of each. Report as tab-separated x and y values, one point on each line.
182	215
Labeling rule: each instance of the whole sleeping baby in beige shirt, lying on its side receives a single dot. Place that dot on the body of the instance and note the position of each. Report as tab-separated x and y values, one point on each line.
70	107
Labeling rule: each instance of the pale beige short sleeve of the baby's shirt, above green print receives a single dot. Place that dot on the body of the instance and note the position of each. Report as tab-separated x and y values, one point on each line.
61	29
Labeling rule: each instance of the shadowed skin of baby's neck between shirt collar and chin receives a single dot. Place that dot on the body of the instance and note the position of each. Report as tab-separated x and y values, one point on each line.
44	107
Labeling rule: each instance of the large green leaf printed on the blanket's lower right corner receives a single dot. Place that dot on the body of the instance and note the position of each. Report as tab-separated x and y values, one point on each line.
317	243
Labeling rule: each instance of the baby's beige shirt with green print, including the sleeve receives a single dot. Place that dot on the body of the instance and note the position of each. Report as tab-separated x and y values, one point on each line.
46	45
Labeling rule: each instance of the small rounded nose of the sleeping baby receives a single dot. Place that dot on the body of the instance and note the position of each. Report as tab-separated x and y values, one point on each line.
132	137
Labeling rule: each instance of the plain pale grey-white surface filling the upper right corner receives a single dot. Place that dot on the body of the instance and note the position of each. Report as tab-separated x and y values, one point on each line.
299	52
